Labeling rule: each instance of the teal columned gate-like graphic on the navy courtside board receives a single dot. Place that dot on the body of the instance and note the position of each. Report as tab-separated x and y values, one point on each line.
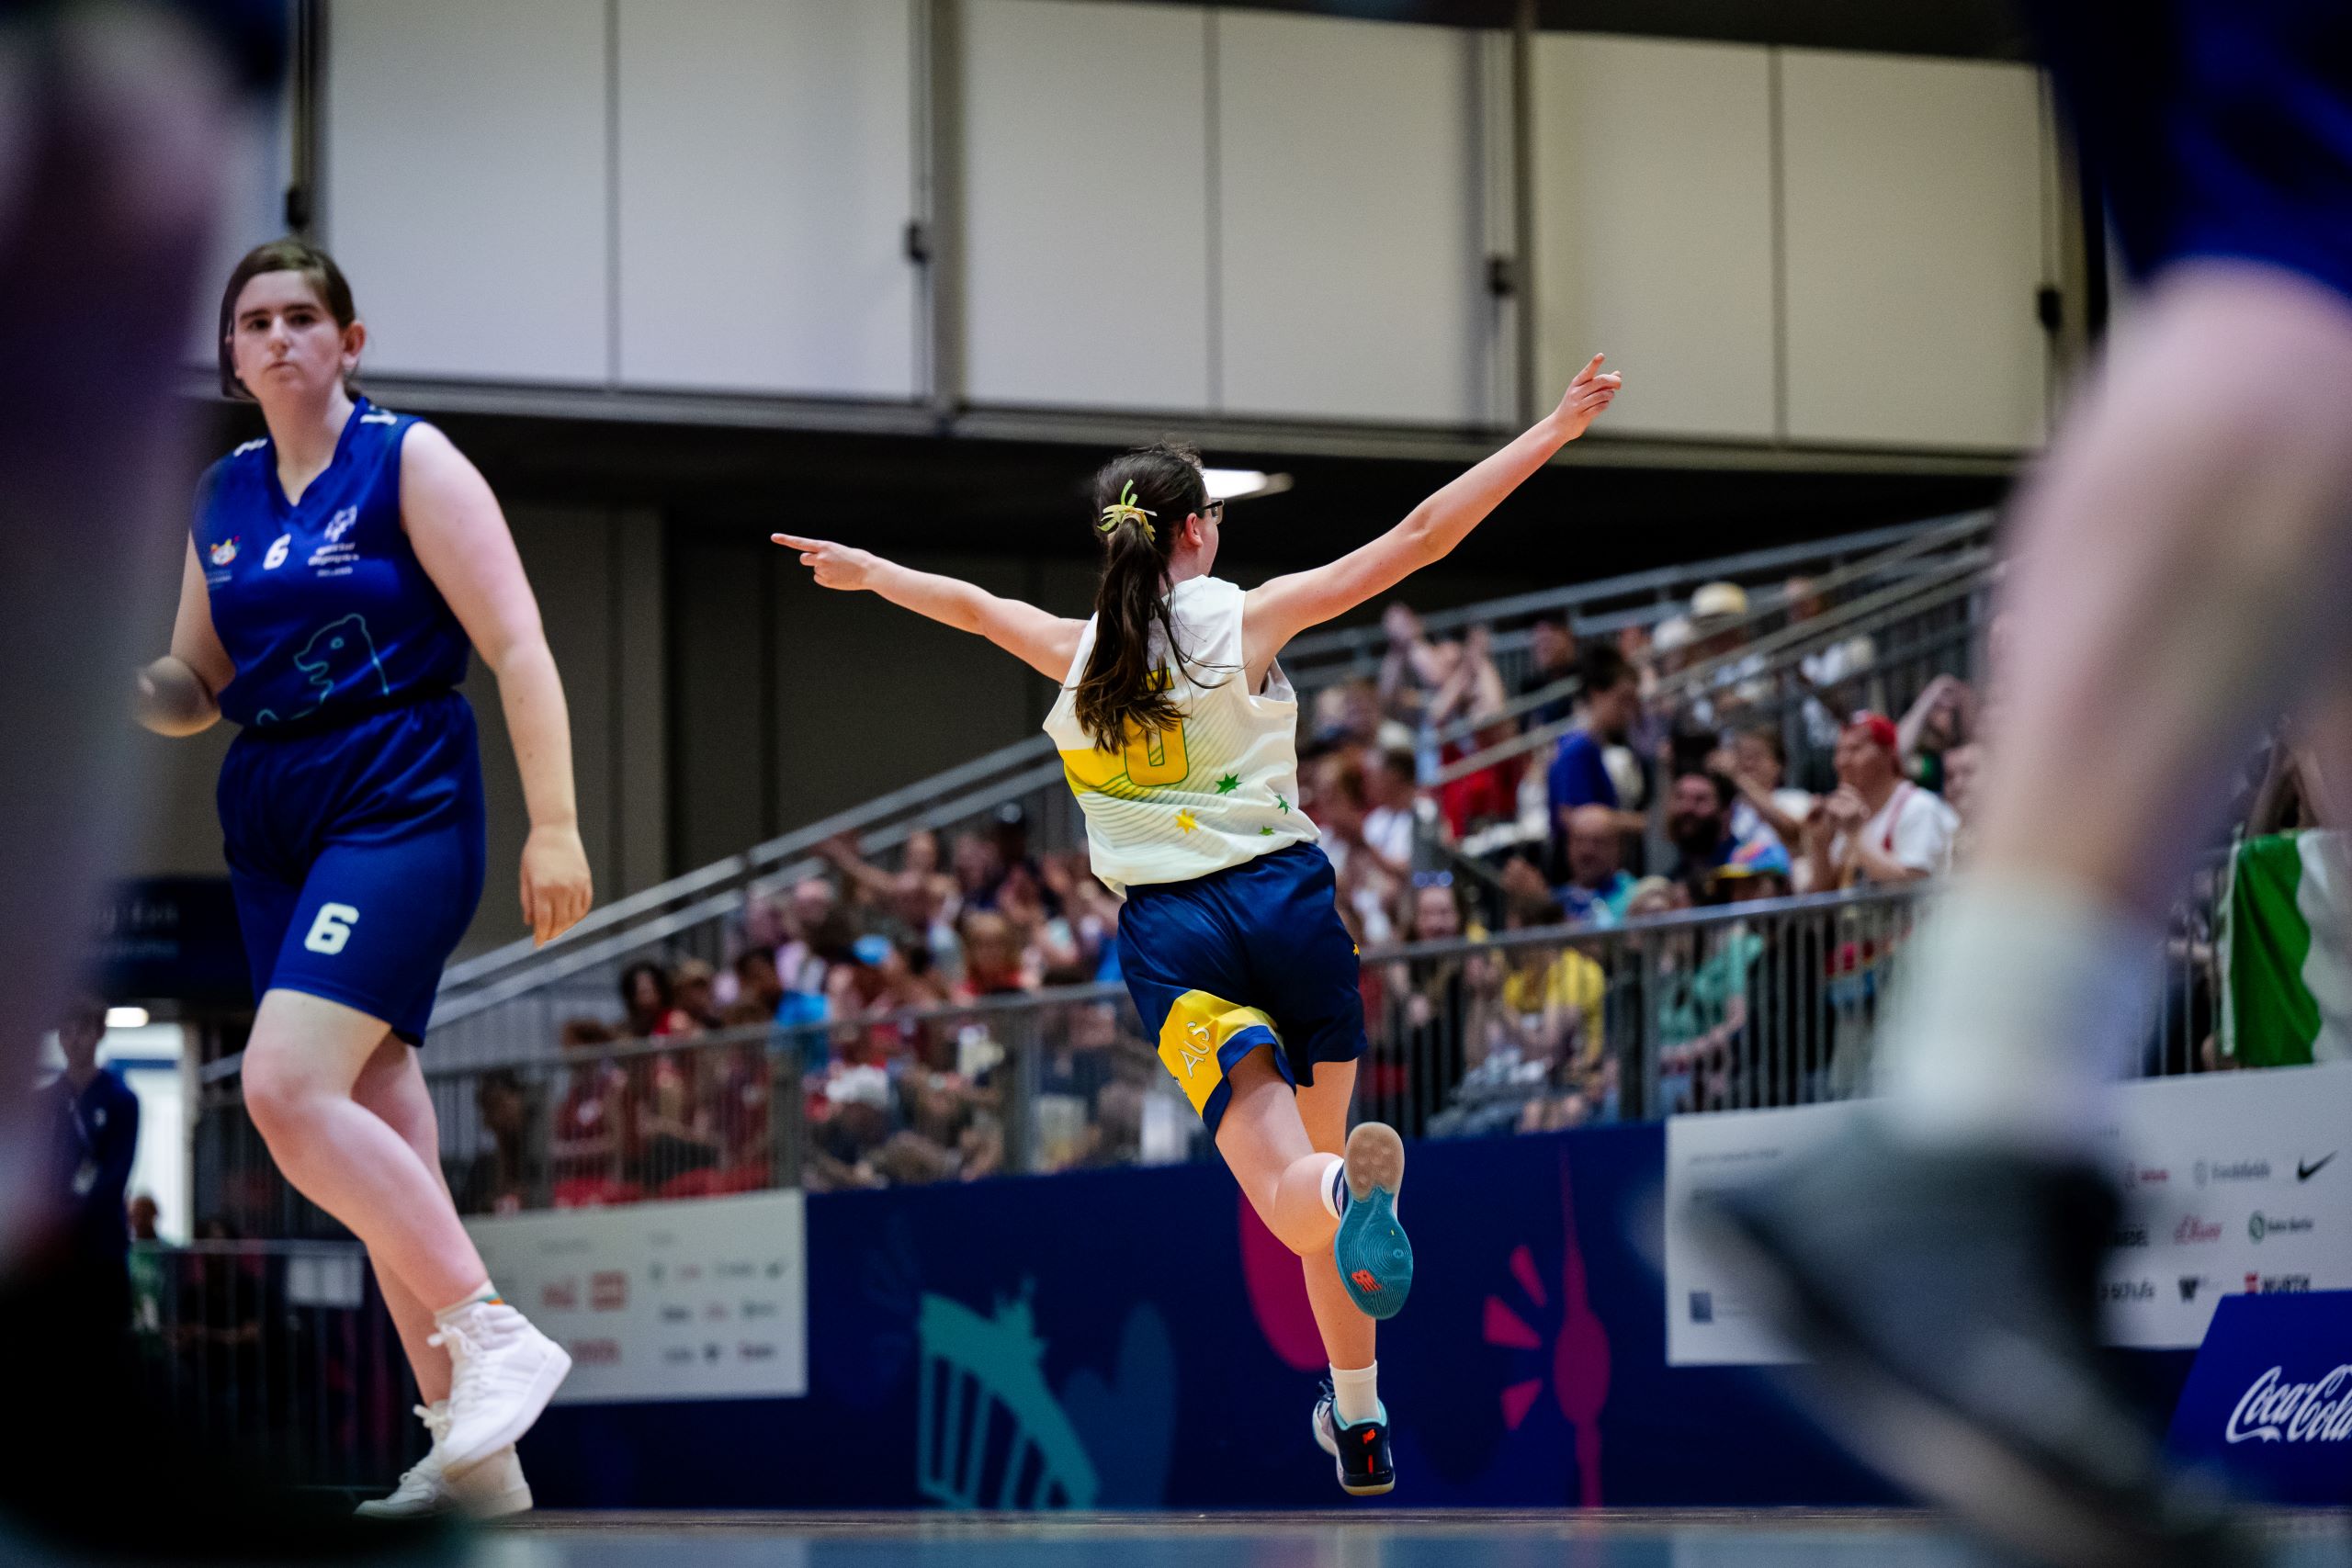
989	1428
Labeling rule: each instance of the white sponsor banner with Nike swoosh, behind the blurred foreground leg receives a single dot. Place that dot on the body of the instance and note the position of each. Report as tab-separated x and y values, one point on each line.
2233	1184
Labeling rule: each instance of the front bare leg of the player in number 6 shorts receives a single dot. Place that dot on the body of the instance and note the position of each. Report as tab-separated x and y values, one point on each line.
302	1066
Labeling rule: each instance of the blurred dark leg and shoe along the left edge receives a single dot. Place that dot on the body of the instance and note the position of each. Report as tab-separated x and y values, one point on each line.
116	126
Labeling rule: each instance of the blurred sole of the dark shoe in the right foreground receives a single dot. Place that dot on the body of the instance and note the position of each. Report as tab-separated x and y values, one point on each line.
1925	1445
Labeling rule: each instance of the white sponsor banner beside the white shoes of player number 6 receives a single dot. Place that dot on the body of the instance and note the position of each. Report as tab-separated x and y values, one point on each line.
707	1299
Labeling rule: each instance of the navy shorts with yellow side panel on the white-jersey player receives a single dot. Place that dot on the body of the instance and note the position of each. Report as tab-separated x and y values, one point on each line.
1252	956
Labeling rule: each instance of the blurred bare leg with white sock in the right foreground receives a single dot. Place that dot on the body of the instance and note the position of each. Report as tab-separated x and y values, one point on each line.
2177	568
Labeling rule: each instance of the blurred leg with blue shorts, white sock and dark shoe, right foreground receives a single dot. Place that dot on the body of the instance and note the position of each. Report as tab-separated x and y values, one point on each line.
2179	572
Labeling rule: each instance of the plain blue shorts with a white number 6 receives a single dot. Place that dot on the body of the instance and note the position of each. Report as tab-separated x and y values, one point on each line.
356	857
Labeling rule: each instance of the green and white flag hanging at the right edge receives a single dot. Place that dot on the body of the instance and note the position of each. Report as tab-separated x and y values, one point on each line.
2287	951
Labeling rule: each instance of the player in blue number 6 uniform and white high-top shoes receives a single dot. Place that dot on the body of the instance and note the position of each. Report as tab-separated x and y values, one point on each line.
338	577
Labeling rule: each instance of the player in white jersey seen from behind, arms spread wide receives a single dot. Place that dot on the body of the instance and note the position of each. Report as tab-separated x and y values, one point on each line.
1180	737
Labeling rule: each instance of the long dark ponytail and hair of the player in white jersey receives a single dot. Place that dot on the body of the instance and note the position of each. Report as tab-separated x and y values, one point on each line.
1123	683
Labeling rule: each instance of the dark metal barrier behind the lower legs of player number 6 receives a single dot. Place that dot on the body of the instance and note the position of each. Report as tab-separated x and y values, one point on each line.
279	1353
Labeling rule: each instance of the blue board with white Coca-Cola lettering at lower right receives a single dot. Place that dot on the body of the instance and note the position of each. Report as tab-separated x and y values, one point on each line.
2271	1398
